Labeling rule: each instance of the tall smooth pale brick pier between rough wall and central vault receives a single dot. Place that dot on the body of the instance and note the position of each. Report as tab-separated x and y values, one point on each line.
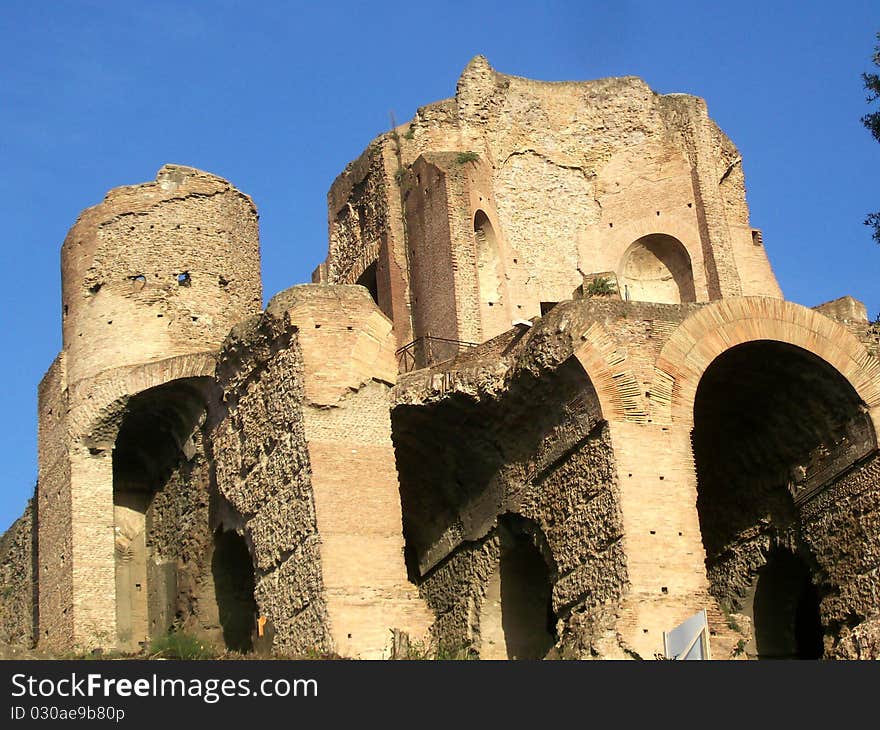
348	362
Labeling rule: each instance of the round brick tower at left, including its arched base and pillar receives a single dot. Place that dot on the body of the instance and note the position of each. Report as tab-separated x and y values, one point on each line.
153	279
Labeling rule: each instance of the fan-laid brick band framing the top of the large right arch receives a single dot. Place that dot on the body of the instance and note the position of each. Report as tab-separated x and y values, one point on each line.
726	323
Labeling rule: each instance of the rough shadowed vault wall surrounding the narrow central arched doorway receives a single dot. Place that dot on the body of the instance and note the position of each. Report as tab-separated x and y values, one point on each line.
531	444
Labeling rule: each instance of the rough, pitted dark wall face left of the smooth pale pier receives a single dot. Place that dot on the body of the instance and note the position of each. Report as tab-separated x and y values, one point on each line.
263	470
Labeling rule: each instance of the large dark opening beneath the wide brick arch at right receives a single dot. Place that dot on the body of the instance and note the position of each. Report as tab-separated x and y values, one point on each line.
774	425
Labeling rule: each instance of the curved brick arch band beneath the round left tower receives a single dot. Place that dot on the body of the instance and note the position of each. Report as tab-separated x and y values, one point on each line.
96	406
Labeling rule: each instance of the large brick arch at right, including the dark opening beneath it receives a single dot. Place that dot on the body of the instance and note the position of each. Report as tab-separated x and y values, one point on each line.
781	404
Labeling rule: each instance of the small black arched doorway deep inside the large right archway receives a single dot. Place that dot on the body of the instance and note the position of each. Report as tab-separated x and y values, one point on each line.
786	610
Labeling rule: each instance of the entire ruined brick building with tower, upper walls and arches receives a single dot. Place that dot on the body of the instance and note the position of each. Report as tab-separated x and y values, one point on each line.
544	398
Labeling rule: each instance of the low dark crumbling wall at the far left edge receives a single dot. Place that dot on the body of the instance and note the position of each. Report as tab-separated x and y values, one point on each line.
18	581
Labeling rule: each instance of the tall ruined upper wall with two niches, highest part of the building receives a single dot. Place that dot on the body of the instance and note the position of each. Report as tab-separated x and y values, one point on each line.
572	177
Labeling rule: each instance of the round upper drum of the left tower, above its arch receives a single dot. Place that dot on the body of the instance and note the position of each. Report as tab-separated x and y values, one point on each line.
157	270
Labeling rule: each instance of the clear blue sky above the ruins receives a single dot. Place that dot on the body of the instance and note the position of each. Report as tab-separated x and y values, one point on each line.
278	97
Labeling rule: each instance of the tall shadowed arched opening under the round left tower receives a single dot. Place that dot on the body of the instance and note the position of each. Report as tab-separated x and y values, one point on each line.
155	436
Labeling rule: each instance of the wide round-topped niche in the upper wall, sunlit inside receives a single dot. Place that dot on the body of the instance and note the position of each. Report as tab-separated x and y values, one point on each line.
657	268
